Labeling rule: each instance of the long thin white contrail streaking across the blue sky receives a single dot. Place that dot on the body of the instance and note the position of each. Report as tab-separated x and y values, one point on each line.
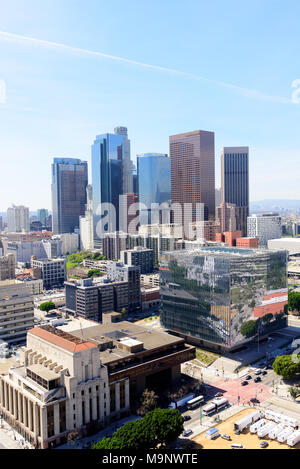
246	92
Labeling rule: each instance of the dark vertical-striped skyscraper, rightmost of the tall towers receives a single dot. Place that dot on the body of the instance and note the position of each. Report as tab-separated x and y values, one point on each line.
235	182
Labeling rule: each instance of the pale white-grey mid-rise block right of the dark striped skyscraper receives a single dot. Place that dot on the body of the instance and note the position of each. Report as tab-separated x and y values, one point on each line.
264	226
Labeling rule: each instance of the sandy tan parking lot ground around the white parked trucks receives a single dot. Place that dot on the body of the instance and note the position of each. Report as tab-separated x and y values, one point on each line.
248	440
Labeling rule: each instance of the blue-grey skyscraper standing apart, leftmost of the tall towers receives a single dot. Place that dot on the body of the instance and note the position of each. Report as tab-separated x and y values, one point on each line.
69	181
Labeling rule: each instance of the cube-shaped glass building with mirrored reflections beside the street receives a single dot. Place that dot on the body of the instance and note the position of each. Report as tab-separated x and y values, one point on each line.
208	294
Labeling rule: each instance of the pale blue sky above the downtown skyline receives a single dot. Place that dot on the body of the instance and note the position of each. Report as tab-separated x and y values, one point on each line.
73	69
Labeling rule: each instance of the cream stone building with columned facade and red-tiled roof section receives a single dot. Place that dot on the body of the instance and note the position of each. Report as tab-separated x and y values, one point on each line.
82	379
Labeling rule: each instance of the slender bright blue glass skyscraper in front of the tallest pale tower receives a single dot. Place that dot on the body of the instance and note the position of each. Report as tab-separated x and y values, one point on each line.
107	180
